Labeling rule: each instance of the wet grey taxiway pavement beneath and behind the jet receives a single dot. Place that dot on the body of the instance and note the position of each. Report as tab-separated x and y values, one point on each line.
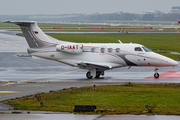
21	75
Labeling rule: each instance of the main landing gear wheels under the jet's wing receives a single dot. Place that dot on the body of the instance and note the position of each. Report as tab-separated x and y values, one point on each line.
90	74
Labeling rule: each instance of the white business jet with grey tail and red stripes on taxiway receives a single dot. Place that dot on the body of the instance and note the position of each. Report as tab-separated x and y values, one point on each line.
95	57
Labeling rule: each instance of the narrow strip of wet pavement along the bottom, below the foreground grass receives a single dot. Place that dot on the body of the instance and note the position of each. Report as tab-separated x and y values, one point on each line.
85	117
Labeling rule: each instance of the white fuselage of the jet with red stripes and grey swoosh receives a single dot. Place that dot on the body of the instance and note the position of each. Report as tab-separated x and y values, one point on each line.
113	55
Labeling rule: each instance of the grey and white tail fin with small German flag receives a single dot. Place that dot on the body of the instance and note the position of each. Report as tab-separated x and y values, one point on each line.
35	37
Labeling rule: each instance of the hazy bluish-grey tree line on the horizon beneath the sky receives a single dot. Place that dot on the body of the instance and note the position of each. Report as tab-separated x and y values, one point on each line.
96	17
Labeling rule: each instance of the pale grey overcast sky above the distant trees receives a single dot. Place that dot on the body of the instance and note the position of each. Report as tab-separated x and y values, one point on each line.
22	7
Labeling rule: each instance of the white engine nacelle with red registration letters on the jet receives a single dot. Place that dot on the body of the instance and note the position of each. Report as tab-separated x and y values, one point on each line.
70	48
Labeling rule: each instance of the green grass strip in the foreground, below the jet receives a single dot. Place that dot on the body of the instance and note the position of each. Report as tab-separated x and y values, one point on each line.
124	99
